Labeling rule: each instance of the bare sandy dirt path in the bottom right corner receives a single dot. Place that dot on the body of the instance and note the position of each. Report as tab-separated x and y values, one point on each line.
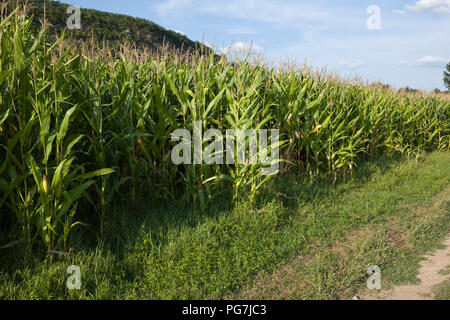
429	276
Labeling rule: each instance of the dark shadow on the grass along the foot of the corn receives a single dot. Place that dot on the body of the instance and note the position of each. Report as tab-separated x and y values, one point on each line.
128	222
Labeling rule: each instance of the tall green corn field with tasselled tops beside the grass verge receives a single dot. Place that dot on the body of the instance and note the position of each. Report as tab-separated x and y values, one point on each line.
80	129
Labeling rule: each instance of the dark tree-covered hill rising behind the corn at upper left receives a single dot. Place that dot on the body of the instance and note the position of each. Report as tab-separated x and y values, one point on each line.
111	27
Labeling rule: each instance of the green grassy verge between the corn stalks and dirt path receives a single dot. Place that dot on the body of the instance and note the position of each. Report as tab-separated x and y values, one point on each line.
302	238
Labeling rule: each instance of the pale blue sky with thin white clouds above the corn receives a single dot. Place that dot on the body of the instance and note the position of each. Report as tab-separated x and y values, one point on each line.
401	43
